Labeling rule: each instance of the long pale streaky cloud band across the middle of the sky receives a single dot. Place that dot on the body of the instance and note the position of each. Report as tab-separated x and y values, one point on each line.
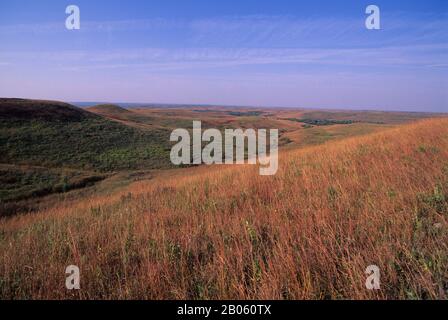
162	59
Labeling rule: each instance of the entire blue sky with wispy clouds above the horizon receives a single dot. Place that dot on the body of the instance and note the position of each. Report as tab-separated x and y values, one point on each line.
307	54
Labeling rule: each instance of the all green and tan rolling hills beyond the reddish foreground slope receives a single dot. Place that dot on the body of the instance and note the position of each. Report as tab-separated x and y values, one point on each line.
52	147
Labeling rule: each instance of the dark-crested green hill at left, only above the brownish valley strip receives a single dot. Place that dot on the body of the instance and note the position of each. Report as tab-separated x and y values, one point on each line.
57	134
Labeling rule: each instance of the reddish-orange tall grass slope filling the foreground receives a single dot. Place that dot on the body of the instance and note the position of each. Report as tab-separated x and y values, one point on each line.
309	232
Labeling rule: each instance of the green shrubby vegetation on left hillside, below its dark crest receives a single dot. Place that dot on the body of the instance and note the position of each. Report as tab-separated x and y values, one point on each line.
93	144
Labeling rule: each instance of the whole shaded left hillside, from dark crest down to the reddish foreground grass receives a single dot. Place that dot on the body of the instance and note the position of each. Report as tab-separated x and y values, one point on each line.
52	147
